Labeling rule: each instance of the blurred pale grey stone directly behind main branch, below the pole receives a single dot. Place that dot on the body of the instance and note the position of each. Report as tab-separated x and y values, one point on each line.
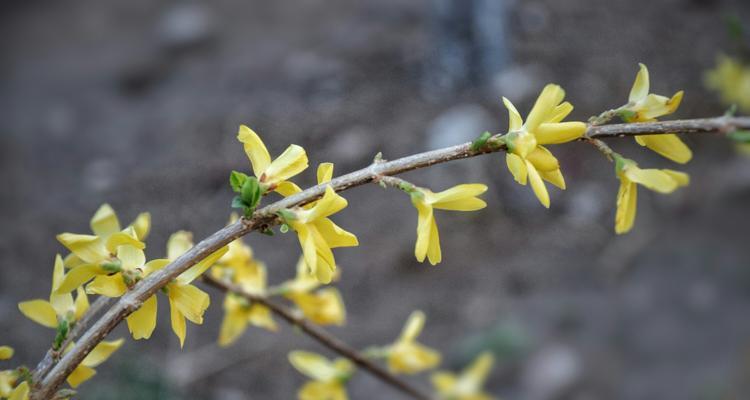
459	124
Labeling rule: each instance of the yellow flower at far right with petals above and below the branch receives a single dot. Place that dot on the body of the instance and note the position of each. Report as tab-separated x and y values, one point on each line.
645	107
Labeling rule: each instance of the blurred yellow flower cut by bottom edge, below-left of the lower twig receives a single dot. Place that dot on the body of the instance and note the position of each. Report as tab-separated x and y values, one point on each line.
328	378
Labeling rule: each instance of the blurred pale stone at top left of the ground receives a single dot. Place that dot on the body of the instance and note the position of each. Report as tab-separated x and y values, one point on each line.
186	25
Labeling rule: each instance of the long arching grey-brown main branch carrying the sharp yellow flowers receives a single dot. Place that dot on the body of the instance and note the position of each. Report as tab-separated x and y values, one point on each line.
266	216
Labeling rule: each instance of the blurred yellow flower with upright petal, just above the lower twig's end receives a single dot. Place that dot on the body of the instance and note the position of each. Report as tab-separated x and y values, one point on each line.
406	355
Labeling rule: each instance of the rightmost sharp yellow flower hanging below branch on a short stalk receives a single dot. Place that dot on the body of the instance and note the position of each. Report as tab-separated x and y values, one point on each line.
659	180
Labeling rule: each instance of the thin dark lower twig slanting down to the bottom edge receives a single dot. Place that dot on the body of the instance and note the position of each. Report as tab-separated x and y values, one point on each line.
320	335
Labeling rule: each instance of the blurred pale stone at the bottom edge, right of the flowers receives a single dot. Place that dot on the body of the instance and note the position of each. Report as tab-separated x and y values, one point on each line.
551	371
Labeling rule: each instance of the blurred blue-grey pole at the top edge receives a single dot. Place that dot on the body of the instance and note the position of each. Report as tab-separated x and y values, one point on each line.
469	44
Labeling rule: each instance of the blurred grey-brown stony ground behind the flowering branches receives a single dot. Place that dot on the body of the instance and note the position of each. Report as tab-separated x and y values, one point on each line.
137	104
